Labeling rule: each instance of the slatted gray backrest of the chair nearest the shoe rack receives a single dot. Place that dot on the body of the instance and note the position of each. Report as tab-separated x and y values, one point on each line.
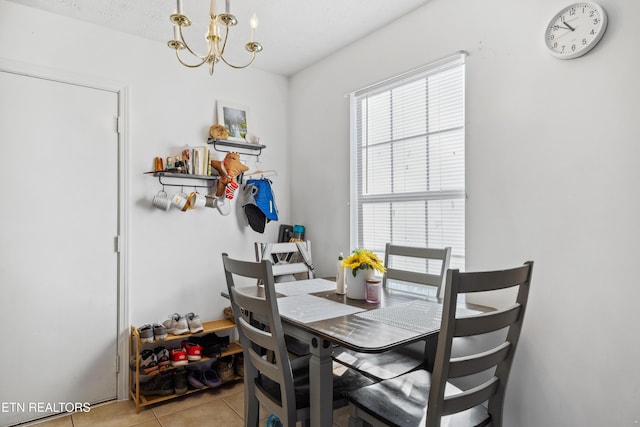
264	337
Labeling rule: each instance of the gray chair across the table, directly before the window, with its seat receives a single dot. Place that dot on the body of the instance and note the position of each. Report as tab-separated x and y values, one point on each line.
414	269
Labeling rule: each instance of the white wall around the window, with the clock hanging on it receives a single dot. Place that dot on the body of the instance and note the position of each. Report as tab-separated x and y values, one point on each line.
552	176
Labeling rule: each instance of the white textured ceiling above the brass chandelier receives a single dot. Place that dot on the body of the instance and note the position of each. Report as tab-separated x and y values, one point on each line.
294	33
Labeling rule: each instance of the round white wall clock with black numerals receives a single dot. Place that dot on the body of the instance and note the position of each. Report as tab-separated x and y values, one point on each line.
575	30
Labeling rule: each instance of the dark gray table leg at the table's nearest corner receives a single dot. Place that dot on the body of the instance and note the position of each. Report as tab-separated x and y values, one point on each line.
321	383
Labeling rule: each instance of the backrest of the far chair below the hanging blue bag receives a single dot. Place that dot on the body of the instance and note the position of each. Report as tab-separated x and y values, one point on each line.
288	258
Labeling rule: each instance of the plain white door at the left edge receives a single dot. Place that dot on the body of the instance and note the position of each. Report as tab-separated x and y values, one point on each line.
58	264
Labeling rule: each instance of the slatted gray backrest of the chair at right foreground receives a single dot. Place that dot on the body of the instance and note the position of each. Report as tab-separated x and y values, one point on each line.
500	357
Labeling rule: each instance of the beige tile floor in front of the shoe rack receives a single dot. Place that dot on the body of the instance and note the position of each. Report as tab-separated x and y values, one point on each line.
221	407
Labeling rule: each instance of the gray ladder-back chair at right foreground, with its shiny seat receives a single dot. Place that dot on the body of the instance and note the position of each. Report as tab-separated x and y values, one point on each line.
421	398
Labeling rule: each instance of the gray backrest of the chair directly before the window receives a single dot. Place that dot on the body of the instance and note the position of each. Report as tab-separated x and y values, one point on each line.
420	257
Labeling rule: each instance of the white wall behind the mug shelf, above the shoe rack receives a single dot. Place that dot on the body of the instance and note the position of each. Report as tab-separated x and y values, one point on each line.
174	258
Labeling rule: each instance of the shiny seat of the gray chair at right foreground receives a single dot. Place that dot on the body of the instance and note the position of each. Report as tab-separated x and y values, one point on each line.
402	402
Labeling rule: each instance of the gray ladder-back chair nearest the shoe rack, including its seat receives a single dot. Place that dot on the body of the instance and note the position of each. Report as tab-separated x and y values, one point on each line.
280	383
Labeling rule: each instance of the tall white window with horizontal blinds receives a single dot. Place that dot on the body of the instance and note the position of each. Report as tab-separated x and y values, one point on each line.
408	161
